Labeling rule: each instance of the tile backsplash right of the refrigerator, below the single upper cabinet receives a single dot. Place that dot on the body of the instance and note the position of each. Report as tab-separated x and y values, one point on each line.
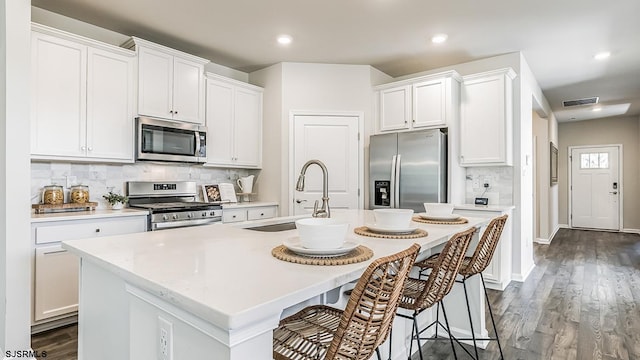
500	179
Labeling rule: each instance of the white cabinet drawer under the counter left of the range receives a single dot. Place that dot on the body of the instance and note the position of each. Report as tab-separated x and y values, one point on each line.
45	234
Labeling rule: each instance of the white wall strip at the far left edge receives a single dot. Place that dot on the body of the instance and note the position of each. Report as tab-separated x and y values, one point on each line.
15	249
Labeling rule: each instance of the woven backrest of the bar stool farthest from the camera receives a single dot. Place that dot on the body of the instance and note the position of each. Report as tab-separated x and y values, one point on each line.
486	247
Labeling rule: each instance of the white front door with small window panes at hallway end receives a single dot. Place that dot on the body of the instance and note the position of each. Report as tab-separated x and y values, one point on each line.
595	188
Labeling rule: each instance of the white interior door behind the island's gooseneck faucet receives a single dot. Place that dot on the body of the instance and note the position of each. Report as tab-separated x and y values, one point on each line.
334	141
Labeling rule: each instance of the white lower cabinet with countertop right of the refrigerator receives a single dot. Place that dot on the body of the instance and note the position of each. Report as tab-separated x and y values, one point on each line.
497	275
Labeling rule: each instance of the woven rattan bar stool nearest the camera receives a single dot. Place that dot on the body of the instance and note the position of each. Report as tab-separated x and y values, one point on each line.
323	332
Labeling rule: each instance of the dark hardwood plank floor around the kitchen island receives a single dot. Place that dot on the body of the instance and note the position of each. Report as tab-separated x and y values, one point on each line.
582	301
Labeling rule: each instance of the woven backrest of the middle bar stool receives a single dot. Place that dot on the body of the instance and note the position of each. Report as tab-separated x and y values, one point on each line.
443	274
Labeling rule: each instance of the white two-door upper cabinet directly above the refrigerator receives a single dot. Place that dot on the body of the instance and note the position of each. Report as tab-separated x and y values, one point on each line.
422	102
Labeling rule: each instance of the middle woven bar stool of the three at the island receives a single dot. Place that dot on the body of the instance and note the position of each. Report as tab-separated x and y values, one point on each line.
420	295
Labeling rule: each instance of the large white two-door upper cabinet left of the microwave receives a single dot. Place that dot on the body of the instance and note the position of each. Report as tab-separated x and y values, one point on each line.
82	98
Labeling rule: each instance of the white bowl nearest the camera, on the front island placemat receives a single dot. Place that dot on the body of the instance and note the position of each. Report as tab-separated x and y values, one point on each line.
322	233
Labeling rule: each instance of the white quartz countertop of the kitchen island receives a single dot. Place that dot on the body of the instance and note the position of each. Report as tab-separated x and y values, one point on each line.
226	274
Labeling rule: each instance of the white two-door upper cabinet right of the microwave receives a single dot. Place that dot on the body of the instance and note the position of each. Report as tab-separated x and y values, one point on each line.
234	122
